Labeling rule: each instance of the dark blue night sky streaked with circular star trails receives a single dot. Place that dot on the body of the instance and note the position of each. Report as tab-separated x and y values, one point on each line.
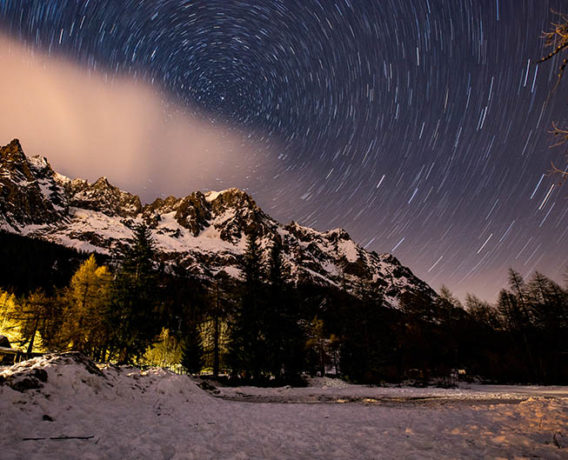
419	126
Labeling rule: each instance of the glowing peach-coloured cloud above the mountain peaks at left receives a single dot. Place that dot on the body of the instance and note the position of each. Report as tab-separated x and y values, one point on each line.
89	125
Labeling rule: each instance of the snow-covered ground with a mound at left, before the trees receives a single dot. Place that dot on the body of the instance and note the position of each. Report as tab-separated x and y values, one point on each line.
123	413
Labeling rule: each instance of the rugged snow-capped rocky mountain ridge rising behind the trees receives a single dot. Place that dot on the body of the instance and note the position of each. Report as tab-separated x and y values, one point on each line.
202	232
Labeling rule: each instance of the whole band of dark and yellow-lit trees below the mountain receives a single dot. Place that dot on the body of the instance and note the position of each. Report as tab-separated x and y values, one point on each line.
262	329
